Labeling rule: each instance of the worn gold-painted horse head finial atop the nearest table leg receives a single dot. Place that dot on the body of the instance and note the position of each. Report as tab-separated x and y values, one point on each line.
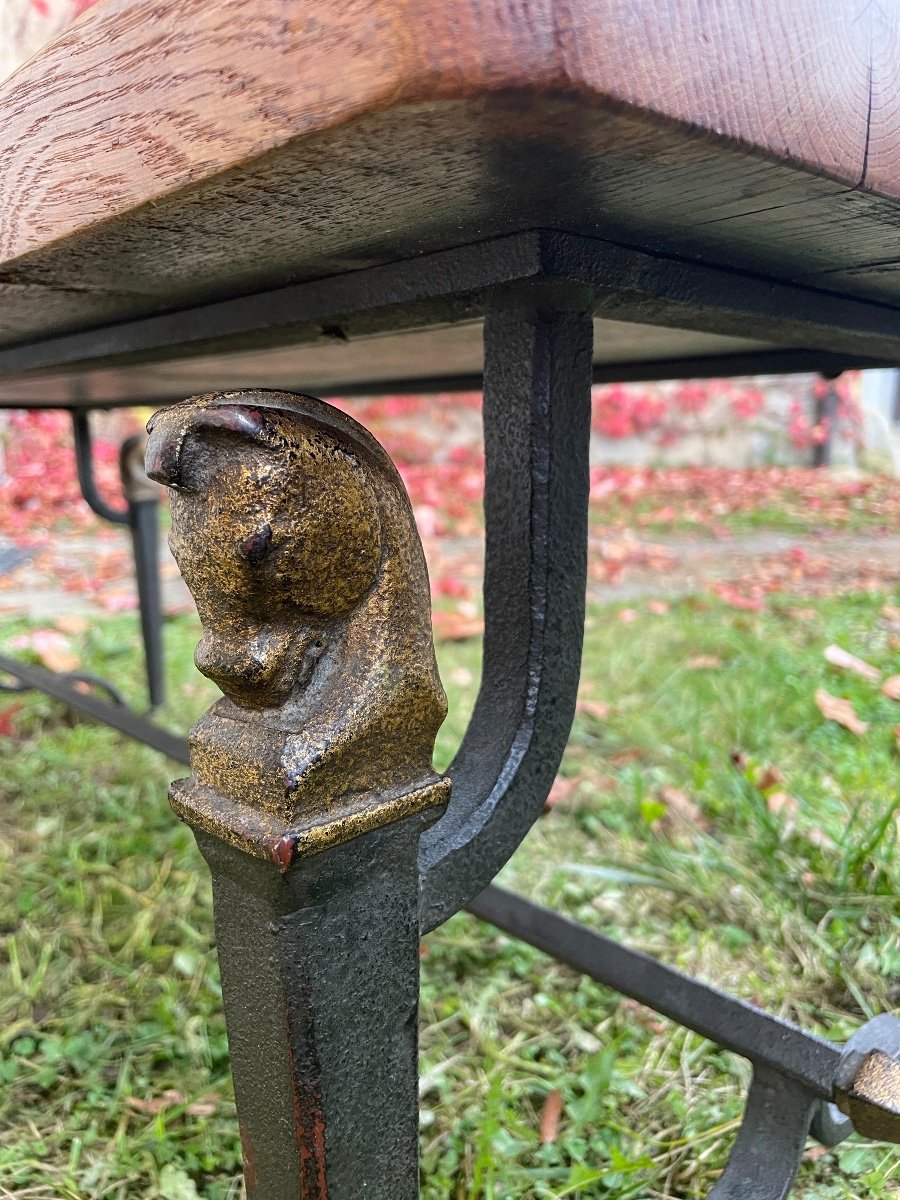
296	536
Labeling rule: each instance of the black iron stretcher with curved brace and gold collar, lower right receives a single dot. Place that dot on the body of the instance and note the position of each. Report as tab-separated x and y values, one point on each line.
797	1076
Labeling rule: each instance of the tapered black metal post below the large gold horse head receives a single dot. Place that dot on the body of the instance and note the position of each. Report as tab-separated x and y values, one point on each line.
321	985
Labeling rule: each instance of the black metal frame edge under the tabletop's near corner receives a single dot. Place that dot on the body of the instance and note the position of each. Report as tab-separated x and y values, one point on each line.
452	285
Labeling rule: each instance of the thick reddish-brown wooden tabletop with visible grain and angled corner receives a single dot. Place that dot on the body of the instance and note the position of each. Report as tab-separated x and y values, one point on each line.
167	153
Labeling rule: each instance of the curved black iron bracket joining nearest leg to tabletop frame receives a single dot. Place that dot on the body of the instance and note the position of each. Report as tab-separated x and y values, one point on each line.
537	415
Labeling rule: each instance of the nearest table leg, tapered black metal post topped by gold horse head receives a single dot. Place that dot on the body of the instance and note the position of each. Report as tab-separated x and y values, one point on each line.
311	781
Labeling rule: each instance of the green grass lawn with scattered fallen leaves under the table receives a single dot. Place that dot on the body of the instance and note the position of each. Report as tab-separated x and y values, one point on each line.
110	991
